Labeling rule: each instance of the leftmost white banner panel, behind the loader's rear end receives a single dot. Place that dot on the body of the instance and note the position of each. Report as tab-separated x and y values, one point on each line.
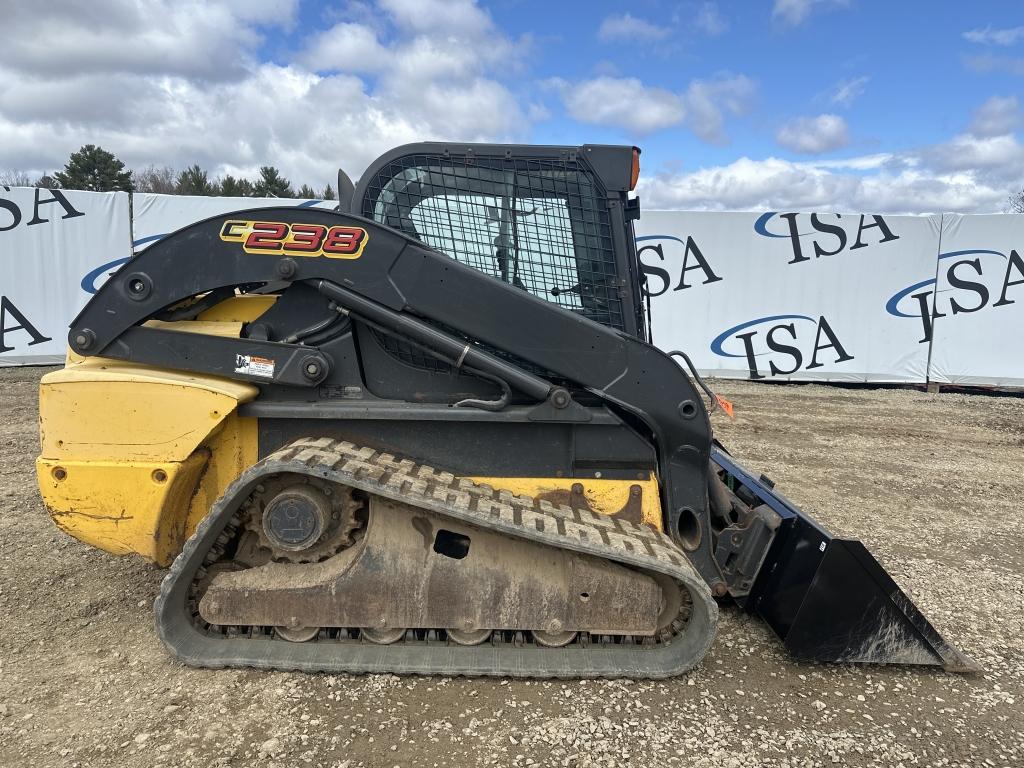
51	243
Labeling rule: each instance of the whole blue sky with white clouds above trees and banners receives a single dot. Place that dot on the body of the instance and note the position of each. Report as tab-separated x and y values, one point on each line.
825	105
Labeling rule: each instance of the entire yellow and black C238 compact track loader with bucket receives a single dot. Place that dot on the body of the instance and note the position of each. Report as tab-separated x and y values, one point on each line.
428	434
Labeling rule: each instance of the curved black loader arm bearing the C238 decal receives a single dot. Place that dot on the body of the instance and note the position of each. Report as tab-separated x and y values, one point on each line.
393	282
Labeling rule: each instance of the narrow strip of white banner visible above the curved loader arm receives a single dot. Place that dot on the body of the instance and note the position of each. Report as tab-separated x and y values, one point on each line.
156	217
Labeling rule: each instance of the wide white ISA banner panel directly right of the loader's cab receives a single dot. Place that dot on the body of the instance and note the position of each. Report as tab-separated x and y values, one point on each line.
789	296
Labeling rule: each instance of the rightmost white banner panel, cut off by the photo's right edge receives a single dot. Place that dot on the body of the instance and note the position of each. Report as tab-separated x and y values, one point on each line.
978	313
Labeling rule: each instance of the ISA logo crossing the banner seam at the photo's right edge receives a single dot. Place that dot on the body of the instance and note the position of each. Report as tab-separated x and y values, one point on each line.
969	282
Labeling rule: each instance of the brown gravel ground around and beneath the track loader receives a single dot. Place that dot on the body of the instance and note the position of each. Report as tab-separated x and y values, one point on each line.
930	483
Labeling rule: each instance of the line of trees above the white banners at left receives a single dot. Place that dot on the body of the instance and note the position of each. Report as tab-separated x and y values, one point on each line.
95	169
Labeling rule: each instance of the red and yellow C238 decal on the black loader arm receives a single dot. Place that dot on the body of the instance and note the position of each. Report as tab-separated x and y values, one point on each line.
336	242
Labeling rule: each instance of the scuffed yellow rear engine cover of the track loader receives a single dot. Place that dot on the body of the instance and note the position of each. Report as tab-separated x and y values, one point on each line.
134	457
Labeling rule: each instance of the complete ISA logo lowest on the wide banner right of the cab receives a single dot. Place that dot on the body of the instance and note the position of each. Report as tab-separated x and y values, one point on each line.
783	345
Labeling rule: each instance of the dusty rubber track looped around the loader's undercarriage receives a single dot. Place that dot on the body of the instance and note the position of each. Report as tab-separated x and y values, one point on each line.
444	494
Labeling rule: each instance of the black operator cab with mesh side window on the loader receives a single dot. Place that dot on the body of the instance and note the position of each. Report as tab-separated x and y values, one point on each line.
557	222
